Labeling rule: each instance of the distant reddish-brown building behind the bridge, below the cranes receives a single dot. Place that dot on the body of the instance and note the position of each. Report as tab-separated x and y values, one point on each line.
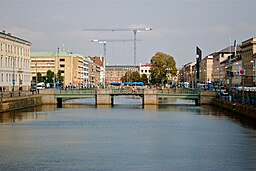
115	73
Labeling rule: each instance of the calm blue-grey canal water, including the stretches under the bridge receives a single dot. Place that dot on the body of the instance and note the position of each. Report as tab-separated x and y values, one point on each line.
175	135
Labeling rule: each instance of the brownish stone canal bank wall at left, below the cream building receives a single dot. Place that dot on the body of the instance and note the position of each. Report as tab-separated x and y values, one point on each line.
15	103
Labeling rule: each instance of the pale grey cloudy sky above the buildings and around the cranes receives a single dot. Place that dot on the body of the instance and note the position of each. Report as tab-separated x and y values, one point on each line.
178	26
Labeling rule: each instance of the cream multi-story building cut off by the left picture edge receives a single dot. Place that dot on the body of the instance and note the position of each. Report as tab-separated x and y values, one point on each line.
14	62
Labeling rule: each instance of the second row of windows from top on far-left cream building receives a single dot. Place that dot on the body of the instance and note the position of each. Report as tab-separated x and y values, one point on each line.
11	62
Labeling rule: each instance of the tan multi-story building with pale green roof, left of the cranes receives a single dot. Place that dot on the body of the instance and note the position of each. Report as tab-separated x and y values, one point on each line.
71	66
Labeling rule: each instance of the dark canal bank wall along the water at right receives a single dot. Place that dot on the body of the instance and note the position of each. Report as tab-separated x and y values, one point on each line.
248	111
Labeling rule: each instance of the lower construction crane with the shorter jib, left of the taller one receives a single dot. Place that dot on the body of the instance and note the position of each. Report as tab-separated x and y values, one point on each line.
104	42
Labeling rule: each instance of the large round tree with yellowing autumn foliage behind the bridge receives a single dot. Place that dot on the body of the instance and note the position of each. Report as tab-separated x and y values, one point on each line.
163	65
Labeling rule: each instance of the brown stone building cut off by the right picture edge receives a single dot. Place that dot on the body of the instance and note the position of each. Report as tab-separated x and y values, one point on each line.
248	50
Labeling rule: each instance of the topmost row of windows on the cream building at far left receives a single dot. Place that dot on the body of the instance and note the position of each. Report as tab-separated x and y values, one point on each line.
14	49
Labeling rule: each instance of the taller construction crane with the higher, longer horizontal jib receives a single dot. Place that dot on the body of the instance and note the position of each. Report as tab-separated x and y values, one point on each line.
135	30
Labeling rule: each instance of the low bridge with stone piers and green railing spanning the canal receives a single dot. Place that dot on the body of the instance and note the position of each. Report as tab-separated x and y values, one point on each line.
106	96
